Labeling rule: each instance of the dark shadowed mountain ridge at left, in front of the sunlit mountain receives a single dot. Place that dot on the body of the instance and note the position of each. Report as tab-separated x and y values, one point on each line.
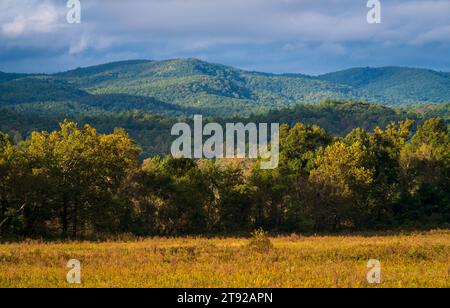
46	94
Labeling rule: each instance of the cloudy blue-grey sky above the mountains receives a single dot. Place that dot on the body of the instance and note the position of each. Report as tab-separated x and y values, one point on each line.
279	36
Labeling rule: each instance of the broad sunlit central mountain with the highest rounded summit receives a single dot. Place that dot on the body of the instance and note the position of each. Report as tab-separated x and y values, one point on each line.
195	83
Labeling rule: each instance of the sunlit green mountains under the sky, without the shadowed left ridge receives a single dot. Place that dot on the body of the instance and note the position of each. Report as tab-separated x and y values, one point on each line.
226	90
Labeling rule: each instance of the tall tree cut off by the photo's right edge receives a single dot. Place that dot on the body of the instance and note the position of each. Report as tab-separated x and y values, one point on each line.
425	164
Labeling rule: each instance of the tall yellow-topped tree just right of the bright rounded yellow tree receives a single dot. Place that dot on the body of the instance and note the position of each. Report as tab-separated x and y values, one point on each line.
374	206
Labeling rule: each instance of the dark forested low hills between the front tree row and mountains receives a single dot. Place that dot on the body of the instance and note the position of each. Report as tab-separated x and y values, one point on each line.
152	130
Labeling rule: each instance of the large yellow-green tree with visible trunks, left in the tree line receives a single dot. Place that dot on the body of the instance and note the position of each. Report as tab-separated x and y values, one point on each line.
84	169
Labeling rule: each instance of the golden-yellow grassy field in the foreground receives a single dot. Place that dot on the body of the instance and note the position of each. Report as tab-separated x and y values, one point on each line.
412	260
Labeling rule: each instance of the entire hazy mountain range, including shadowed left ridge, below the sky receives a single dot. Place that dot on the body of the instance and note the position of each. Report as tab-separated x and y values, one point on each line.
186	86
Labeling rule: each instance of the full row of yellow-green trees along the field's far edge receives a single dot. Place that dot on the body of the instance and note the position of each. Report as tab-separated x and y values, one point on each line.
77	183
